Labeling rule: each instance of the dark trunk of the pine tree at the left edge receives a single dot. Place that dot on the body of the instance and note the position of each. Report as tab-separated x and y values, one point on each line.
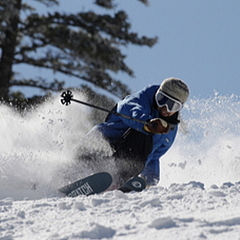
8	49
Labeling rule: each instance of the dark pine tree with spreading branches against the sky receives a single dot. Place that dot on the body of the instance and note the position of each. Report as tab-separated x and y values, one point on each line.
85	45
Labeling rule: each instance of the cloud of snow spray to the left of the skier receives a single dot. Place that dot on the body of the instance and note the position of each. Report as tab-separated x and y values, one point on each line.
38	148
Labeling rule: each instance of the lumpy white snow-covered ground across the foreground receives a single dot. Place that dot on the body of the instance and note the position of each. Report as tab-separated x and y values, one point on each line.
178	212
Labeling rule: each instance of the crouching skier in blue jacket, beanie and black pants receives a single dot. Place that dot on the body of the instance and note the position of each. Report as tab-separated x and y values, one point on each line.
137	147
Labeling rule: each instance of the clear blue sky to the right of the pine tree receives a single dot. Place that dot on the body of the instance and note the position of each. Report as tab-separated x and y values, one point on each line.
199	42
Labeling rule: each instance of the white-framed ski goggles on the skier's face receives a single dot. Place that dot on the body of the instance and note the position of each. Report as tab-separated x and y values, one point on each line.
171	104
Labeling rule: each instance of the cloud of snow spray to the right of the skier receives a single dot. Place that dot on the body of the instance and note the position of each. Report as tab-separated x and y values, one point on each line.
207	146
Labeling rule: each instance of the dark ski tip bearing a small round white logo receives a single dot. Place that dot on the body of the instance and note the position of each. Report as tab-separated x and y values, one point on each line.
133	184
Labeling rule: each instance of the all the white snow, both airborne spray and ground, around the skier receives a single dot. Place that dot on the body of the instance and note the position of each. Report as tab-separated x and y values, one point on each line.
198	196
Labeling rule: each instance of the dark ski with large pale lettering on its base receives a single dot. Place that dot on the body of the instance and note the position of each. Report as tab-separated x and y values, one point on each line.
93	184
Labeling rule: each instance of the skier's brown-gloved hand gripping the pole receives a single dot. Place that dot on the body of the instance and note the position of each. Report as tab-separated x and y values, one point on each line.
157	126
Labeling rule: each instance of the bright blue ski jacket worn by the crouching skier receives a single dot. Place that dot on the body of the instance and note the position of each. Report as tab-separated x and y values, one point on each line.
140	105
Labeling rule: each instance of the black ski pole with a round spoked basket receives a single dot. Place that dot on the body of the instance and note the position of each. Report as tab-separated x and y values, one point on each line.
67	97
